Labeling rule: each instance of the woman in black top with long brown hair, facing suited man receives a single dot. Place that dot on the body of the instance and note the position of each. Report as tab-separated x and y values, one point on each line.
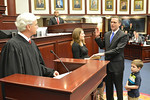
79	50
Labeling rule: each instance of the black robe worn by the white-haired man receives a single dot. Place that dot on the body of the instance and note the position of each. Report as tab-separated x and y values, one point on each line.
19	56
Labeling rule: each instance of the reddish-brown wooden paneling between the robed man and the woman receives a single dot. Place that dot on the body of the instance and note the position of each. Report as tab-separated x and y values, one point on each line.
59	44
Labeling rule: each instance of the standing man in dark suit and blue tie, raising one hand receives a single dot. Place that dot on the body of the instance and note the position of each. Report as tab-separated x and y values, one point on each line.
114	43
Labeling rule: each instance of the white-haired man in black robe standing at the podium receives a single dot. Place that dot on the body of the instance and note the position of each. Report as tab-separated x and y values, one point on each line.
19	55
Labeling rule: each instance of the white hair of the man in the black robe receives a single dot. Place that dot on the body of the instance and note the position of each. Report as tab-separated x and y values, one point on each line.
23	20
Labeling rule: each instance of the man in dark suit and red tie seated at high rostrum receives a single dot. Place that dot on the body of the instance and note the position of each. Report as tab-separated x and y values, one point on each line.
56	19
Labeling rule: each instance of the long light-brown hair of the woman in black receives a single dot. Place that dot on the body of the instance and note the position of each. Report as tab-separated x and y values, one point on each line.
76	36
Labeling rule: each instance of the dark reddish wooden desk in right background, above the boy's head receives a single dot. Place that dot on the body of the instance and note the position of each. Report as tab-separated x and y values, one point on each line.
133	51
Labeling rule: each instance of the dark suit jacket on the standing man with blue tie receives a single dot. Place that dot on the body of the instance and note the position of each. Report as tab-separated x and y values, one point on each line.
114	52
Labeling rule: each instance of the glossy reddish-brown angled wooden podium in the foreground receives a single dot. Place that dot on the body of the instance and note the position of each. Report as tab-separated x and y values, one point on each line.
86	75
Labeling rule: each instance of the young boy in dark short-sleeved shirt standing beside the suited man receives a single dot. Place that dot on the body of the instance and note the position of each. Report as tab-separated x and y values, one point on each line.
134	81
